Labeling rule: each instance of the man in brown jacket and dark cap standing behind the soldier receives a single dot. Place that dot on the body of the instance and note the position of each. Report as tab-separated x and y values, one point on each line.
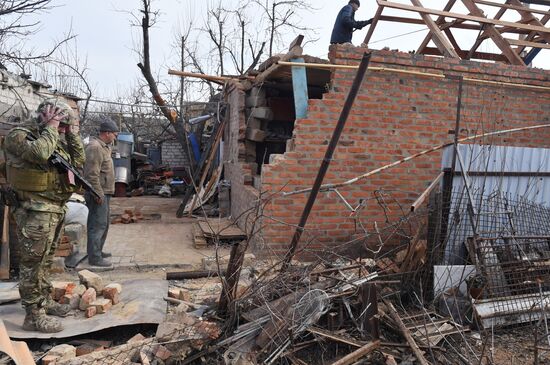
100	172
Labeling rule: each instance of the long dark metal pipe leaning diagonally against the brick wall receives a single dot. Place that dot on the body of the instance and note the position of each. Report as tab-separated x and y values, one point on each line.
327	159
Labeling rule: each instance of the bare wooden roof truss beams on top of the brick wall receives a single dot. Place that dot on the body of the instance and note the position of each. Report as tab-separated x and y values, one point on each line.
518	42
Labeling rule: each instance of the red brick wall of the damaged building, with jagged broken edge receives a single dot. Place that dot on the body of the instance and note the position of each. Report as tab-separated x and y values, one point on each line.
395	115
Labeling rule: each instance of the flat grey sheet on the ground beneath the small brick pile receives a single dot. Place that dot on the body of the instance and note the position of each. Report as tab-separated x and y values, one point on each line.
141	303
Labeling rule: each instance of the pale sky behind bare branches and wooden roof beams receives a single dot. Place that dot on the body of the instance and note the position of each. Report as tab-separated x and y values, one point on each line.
108	40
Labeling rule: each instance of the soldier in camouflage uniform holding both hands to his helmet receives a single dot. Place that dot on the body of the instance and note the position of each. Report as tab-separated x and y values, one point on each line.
42	192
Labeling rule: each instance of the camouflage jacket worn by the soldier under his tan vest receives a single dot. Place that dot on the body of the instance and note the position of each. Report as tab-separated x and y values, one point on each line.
22	154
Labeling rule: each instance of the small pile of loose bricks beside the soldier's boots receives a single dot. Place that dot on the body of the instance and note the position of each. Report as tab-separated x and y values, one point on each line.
90	295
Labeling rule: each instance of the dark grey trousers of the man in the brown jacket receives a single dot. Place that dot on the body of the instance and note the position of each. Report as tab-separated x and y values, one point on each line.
98	226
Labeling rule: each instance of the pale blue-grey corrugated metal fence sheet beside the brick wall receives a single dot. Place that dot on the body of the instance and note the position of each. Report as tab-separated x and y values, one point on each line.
511	190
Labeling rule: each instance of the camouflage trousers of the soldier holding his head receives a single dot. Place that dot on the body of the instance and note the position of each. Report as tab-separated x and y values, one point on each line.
38	234
